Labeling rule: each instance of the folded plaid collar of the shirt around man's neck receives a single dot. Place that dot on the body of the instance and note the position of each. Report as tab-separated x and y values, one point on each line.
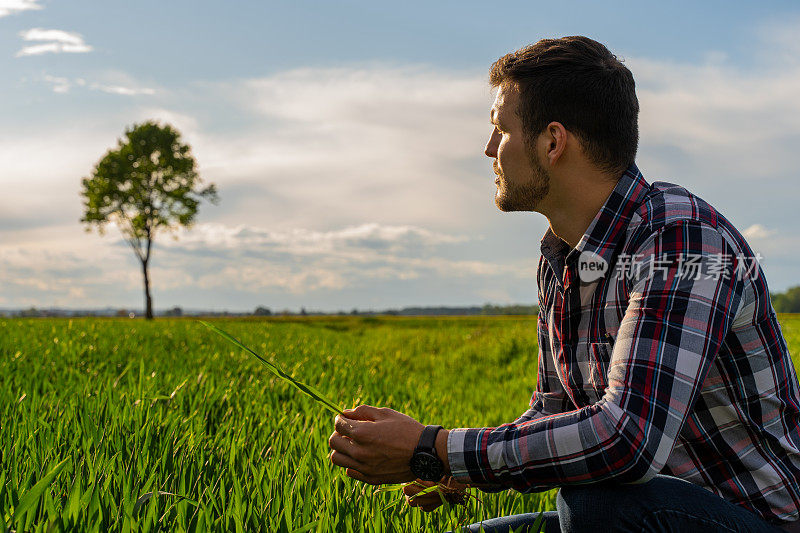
608	225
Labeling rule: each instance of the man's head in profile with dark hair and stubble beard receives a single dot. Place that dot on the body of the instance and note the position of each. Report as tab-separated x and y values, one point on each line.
573	85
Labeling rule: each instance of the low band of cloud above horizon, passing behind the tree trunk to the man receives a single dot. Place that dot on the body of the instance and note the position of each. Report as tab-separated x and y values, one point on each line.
215	257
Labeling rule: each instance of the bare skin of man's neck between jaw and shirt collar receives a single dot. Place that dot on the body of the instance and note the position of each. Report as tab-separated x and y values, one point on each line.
571	211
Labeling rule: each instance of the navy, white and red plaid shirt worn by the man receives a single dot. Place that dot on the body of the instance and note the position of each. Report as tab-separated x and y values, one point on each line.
659	352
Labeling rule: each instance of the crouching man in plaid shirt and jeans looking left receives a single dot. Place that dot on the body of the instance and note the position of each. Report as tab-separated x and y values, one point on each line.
666	398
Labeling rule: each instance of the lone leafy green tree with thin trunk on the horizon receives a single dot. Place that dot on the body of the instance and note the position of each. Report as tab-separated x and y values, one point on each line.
147	184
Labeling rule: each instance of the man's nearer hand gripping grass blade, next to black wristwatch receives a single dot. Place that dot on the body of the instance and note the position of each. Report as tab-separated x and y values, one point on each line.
375	445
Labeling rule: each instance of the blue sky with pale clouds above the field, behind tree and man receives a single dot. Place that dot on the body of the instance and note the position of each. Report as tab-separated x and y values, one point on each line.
346	141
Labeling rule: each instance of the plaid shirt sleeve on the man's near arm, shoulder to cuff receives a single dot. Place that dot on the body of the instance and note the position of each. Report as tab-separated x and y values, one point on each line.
672	330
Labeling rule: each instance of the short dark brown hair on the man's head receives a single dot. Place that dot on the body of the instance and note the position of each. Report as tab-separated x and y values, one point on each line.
578	82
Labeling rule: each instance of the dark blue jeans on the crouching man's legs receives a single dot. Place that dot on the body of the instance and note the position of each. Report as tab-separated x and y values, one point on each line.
663	504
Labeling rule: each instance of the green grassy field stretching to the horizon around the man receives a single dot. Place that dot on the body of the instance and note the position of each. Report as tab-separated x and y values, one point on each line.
131	410
